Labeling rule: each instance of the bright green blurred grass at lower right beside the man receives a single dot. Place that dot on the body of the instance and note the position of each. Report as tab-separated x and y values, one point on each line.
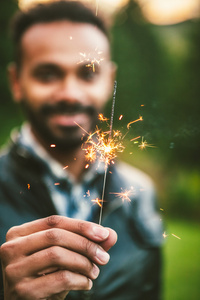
182	261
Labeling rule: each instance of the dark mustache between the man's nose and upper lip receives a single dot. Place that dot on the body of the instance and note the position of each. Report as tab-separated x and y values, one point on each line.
63	107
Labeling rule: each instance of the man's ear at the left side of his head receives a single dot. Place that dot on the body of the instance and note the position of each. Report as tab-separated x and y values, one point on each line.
13	76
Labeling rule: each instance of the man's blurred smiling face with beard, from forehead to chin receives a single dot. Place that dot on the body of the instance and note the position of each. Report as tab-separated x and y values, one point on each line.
65	79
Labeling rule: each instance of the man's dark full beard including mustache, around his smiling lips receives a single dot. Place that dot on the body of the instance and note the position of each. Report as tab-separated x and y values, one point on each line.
66	138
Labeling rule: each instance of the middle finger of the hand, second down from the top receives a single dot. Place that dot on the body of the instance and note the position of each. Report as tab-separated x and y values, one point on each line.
30	244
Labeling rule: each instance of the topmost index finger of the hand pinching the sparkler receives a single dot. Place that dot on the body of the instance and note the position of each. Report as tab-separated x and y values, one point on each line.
90	230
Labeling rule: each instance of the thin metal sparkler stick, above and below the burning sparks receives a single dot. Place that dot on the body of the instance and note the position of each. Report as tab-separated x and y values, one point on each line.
106	162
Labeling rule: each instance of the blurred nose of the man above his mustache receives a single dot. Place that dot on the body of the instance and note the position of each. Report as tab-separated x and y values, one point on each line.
70	90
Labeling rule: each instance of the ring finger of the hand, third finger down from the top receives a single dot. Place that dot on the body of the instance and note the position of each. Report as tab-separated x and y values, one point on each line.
51	260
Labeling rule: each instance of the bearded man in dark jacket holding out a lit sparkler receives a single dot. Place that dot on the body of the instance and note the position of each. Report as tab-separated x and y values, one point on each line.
62	77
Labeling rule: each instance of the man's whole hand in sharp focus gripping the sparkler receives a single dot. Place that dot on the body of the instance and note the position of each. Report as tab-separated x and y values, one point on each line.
49	257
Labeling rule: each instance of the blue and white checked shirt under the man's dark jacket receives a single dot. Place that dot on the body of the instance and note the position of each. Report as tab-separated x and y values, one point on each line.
70	198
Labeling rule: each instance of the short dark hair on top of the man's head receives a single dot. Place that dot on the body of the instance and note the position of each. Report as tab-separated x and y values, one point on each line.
52	11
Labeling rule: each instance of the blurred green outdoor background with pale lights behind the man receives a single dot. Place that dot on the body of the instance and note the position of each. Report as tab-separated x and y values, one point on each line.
156	45
